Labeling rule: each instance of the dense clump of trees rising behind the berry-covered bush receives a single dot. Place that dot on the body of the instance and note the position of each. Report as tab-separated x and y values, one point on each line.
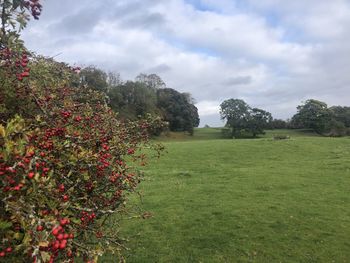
147	94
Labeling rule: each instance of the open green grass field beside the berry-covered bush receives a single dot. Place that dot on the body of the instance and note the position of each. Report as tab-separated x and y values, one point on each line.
251	200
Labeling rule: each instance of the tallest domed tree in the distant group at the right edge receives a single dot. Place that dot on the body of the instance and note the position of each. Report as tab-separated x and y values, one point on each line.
313	114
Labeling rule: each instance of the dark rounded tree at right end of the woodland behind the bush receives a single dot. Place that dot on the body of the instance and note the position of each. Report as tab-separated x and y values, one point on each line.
177	111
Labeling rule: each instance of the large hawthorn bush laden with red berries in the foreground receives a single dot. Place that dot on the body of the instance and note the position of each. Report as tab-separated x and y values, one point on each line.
66	162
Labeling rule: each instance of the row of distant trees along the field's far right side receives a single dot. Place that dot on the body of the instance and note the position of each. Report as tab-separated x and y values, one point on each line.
243	120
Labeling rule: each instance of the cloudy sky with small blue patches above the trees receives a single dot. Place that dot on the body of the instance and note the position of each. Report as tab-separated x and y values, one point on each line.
271	53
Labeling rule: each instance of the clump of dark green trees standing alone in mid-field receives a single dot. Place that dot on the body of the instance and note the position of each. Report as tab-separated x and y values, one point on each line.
242	118
